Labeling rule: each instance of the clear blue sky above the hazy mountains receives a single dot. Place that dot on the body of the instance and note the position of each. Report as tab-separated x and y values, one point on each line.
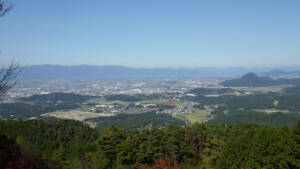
153	33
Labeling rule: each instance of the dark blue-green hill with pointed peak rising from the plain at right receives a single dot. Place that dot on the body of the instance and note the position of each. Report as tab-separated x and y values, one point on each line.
252	80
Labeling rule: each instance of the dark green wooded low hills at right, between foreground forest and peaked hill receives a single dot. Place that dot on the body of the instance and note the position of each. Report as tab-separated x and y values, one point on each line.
275	109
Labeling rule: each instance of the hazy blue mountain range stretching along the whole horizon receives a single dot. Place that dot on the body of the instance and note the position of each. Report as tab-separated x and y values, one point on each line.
87	72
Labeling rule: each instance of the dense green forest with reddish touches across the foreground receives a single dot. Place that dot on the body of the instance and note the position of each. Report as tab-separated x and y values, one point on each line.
71	144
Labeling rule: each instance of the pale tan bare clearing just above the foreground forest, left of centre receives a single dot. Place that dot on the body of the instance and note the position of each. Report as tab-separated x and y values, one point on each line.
75	115
